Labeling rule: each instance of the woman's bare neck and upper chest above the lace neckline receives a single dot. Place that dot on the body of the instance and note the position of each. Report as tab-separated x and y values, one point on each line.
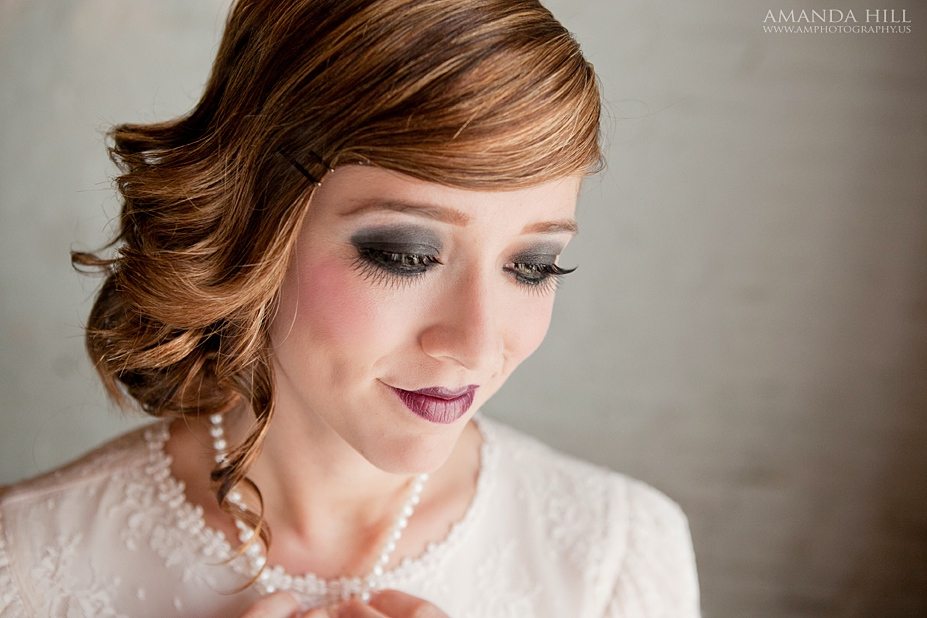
328	507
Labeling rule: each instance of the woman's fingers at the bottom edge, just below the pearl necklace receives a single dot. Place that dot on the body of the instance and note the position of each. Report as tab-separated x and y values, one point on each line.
383	604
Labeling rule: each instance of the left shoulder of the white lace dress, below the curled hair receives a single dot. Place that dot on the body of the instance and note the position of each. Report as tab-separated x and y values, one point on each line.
111	530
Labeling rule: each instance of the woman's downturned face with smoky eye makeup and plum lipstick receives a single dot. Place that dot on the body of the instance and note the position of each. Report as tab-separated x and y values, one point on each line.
399	285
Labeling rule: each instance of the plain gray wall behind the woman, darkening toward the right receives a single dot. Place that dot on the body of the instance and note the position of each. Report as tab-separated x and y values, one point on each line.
748	327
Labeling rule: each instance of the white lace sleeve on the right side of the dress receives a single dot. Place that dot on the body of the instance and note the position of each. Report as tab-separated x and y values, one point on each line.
657	577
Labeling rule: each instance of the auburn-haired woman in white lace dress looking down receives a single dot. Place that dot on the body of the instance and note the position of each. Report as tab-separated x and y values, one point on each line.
323	272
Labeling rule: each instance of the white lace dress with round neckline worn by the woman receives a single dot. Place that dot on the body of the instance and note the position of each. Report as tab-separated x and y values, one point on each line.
545	536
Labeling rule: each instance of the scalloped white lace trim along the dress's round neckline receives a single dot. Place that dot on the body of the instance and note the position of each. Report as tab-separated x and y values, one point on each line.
214	544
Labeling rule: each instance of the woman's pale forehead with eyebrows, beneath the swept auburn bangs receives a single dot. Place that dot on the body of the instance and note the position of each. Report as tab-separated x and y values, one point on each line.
366	192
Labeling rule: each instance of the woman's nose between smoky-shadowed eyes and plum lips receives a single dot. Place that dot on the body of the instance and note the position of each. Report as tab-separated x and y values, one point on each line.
465	325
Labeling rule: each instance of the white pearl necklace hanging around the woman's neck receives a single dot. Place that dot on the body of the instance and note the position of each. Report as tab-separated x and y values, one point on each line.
309	586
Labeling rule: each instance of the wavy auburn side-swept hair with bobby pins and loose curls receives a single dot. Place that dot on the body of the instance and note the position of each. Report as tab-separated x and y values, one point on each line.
490	94
